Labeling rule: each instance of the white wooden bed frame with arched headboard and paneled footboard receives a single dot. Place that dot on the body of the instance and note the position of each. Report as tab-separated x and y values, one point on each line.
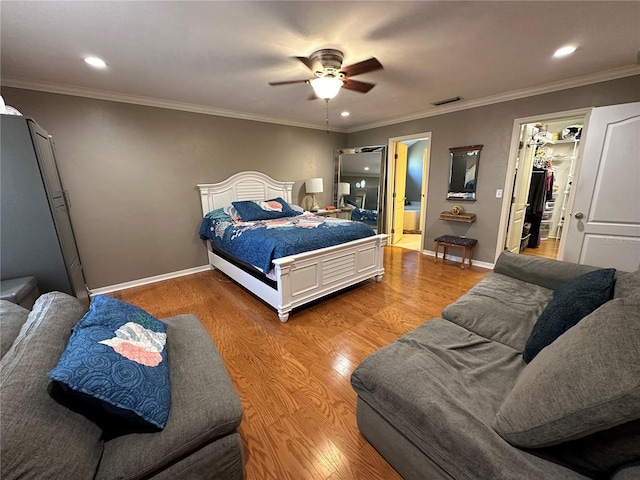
296	279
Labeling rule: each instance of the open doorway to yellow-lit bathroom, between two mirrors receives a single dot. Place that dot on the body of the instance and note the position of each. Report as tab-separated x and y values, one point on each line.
407	180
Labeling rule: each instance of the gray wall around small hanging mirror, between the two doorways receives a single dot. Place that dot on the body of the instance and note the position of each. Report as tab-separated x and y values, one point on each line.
490	126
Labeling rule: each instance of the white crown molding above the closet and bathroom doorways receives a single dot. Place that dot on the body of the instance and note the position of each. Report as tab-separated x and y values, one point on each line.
505	97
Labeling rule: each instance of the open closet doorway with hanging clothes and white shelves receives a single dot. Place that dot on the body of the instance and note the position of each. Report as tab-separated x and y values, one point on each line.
545	155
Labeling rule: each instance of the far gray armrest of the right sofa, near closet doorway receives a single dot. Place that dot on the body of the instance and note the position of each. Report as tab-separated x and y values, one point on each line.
541	271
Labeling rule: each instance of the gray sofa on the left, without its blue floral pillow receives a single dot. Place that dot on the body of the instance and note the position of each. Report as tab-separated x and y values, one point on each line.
42	438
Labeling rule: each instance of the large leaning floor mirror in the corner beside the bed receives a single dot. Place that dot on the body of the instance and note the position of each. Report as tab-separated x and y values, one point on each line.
358	188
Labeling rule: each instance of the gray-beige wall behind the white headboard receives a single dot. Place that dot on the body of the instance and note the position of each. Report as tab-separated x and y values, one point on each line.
132	171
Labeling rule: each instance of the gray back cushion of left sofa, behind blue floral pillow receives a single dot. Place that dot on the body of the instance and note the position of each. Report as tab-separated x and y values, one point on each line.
40	438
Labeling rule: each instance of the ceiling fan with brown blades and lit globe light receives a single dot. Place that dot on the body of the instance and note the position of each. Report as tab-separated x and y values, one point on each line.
330	76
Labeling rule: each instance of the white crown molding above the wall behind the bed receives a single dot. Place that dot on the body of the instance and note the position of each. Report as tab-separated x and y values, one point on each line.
151	102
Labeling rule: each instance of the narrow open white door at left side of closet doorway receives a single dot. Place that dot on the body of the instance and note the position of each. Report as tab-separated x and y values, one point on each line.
520	191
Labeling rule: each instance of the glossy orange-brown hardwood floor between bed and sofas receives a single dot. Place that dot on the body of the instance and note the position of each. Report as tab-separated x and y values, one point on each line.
293	378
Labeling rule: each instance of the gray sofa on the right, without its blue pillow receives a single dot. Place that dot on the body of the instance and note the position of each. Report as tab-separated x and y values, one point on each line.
453	399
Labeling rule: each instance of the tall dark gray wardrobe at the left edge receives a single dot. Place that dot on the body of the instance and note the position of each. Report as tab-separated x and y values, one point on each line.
37	237
